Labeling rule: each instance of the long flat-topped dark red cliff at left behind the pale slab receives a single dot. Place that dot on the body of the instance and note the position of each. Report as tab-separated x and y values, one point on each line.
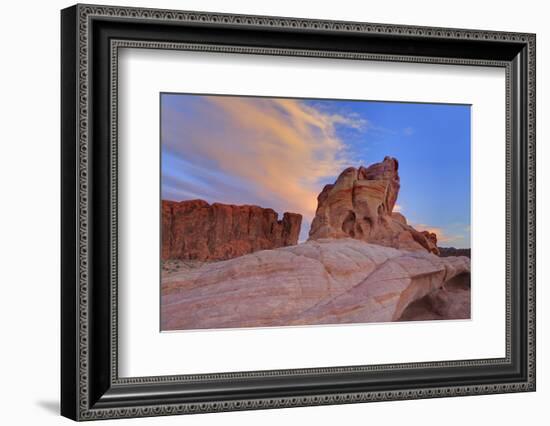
199	231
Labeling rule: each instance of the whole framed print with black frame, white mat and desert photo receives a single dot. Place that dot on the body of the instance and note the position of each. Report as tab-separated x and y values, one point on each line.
263	212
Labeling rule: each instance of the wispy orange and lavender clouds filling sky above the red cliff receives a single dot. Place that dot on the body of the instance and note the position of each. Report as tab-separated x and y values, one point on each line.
277	150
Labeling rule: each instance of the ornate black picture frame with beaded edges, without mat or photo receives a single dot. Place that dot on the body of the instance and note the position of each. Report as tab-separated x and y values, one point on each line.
91	387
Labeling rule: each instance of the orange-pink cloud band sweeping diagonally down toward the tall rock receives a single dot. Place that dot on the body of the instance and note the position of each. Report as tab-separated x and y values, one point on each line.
282	147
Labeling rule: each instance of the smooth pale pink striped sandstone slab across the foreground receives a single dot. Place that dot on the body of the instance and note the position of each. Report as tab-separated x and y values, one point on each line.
327	281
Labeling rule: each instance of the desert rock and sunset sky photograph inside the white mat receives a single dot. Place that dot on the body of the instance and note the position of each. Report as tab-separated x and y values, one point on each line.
284	212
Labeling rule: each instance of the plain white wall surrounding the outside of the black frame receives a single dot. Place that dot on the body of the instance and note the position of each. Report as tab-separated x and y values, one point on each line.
29	216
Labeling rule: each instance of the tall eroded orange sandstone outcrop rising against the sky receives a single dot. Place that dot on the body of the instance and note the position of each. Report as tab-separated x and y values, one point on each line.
360	205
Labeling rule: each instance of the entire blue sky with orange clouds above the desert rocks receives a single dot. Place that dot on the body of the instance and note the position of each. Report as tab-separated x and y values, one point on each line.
280	152
